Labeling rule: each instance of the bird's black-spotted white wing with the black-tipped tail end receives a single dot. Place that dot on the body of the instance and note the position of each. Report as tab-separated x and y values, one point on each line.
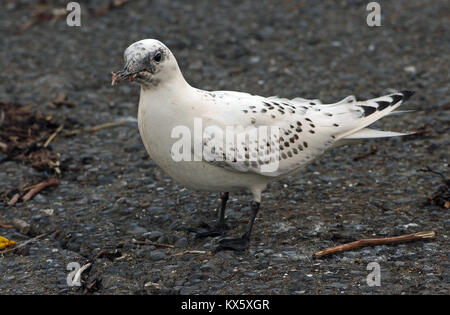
274	136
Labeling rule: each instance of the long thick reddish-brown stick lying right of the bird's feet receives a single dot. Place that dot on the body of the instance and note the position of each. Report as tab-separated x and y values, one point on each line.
374	242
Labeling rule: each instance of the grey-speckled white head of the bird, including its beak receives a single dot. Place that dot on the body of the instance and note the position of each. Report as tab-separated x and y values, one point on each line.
143	61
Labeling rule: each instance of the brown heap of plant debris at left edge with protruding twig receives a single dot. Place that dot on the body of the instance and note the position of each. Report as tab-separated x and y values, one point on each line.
25	137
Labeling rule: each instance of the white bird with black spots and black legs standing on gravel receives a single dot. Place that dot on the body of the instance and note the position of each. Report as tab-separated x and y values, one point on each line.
306	129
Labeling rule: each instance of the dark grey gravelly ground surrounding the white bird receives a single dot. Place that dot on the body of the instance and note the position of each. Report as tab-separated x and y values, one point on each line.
110	190
